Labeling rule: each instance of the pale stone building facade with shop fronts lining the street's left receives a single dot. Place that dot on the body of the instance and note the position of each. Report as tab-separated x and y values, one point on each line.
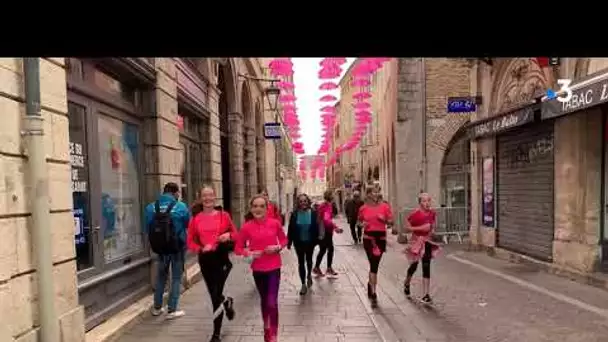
116	130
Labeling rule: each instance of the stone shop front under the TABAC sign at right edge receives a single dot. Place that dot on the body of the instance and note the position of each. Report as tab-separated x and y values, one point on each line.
581	240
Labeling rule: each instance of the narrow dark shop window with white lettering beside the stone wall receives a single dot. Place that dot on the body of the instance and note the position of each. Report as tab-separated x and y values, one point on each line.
80	186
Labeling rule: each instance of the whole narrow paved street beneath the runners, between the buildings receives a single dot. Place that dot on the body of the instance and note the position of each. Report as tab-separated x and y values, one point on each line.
476	299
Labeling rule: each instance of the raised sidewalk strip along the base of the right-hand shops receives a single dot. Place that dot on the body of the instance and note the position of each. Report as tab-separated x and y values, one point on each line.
594	279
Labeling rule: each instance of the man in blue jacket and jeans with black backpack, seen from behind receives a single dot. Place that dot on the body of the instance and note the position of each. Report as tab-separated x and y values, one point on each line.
166	226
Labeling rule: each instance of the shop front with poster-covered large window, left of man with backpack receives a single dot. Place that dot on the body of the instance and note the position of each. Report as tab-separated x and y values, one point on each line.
106	105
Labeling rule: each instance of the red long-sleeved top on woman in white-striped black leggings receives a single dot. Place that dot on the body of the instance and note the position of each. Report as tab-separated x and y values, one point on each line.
204	229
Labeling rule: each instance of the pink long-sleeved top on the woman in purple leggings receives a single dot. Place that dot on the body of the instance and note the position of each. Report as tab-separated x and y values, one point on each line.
261	234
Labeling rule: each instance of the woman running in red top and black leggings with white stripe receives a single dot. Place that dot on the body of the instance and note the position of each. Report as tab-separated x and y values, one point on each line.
211	234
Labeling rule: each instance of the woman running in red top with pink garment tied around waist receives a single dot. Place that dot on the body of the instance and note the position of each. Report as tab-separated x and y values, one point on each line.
421	247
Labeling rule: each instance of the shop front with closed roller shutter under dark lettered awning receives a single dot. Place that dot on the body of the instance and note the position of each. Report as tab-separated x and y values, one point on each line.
517	183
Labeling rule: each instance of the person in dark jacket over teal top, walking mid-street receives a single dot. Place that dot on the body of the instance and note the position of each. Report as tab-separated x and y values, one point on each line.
302	233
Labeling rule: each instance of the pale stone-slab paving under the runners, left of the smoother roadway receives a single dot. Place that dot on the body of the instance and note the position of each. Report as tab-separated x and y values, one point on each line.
334	310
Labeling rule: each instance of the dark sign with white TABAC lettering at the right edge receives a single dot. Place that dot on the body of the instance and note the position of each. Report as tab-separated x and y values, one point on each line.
582	98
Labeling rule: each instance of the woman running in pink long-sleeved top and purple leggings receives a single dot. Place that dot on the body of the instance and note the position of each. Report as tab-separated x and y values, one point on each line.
266	239
